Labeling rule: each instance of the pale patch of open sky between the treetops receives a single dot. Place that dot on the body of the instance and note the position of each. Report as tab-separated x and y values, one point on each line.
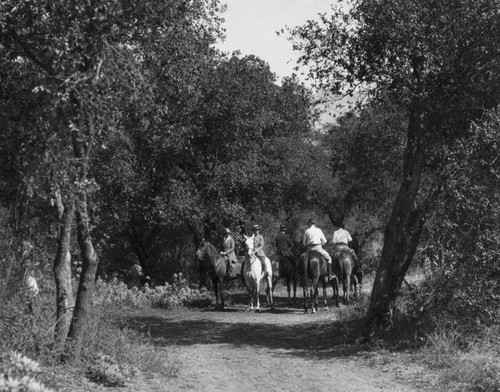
251	27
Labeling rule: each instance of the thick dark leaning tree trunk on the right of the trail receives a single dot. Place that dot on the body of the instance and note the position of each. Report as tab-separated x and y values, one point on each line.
401	235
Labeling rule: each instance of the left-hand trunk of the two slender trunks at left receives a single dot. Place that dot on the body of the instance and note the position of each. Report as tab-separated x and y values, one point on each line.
62	271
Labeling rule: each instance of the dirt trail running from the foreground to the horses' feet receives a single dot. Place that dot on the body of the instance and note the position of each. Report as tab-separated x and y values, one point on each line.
275	350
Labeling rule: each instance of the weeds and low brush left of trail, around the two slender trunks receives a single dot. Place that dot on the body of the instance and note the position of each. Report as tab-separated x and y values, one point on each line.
112	354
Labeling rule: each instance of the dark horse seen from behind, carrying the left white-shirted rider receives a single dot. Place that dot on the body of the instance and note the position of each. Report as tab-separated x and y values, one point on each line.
314	266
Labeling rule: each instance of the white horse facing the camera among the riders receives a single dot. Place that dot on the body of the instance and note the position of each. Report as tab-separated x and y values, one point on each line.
253	274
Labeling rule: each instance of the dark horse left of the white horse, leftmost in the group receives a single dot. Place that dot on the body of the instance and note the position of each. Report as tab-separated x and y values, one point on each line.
212	263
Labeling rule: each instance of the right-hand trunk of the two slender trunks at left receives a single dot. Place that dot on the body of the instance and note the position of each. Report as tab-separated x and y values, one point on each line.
83	305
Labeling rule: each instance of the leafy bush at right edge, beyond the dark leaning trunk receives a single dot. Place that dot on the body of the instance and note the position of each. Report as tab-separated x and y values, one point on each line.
462	245
